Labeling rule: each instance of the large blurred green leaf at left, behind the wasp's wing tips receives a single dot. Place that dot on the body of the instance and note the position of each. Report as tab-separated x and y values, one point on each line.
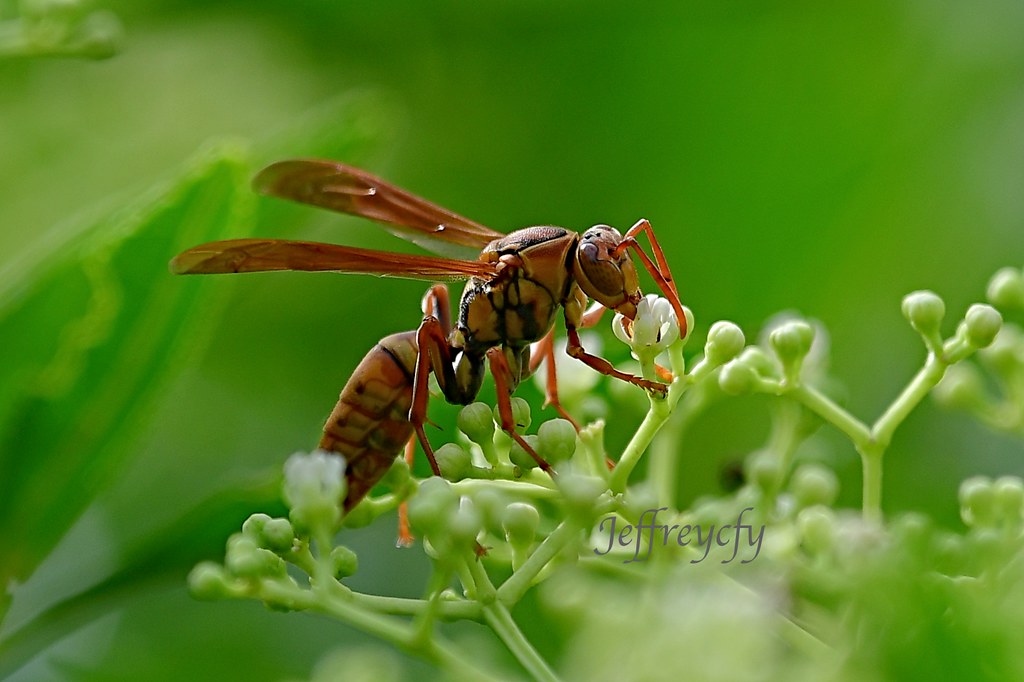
94	324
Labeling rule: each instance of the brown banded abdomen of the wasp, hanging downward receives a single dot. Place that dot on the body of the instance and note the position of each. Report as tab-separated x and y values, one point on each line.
370	425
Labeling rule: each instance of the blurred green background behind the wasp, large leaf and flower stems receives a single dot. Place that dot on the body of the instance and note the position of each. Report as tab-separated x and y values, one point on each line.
825	159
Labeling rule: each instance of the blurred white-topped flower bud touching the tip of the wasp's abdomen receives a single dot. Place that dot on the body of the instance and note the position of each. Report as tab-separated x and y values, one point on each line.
315	487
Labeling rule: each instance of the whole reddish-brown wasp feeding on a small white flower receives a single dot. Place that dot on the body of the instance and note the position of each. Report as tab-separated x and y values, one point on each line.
517	285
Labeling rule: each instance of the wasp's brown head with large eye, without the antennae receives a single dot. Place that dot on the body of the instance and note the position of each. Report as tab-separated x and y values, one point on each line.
604	276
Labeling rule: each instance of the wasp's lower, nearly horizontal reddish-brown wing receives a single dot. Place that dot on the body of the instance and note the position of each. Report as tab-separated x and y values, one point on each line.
257	255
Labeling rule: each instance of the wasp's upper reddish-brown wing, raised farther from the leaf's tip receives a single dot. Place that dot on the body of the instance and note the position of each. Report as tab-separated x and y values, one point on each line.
350	190
